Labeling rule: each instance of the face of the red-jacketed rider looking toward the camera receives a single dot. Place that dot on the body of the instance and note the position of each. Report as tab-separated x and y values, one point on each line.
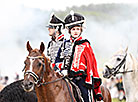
76	31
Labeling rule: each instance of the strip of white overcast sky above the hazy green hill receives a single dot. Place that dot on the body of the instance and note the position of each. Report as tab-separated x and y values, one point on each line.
59	4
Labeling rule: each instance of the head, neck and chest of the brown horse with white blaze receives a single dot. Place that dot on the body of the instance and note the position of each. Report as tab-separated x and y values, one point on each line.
38	74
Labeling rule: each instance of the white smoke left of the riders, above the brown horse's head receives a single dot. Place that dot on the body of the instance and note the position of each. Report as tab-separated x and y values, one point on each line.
18	24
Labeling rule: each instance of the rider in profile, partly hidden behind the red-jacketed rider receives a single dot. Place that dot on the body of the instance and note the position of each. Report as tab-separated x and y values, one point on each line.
55	26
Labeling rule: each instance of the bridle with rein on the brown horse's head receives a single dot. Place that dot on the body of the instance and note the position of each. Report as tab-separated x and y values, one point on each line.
38	81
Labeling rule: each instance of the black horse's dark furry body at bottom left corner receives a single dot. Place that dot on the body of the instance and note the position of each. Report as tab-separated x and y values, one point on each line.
15	93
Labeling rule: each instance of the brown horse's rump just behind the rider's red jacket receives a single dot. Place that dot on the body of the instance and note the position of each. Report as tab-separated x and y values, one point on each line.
106	94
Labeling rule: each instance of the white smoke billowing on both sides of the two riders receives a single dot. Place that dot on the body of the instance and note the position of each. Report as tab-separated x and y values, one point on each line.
19	23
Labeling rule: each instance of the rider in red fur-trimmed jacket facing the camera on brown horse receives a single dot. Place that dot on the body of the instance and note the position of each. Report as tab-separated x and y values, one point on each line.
79	62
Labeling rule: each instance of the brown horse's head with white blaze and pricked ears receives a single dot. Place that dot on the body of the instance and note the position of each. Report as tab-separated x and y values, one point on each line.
34	67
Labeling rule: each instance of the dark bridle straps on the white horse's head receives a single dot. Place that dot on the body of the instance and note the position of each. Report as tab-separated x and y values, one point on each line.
115	70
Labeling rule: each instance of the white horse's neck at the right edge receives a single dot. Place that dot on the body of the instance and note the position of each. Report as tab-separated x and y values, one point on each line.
130	78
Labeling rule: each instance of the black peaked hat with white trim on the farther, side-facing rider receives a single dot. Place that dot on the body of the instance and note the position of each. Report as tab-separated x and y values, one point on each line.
54	22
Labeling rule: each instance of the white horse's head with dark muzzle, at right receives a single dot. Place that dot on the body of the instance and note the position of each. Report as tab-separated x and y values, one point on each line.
113	65
